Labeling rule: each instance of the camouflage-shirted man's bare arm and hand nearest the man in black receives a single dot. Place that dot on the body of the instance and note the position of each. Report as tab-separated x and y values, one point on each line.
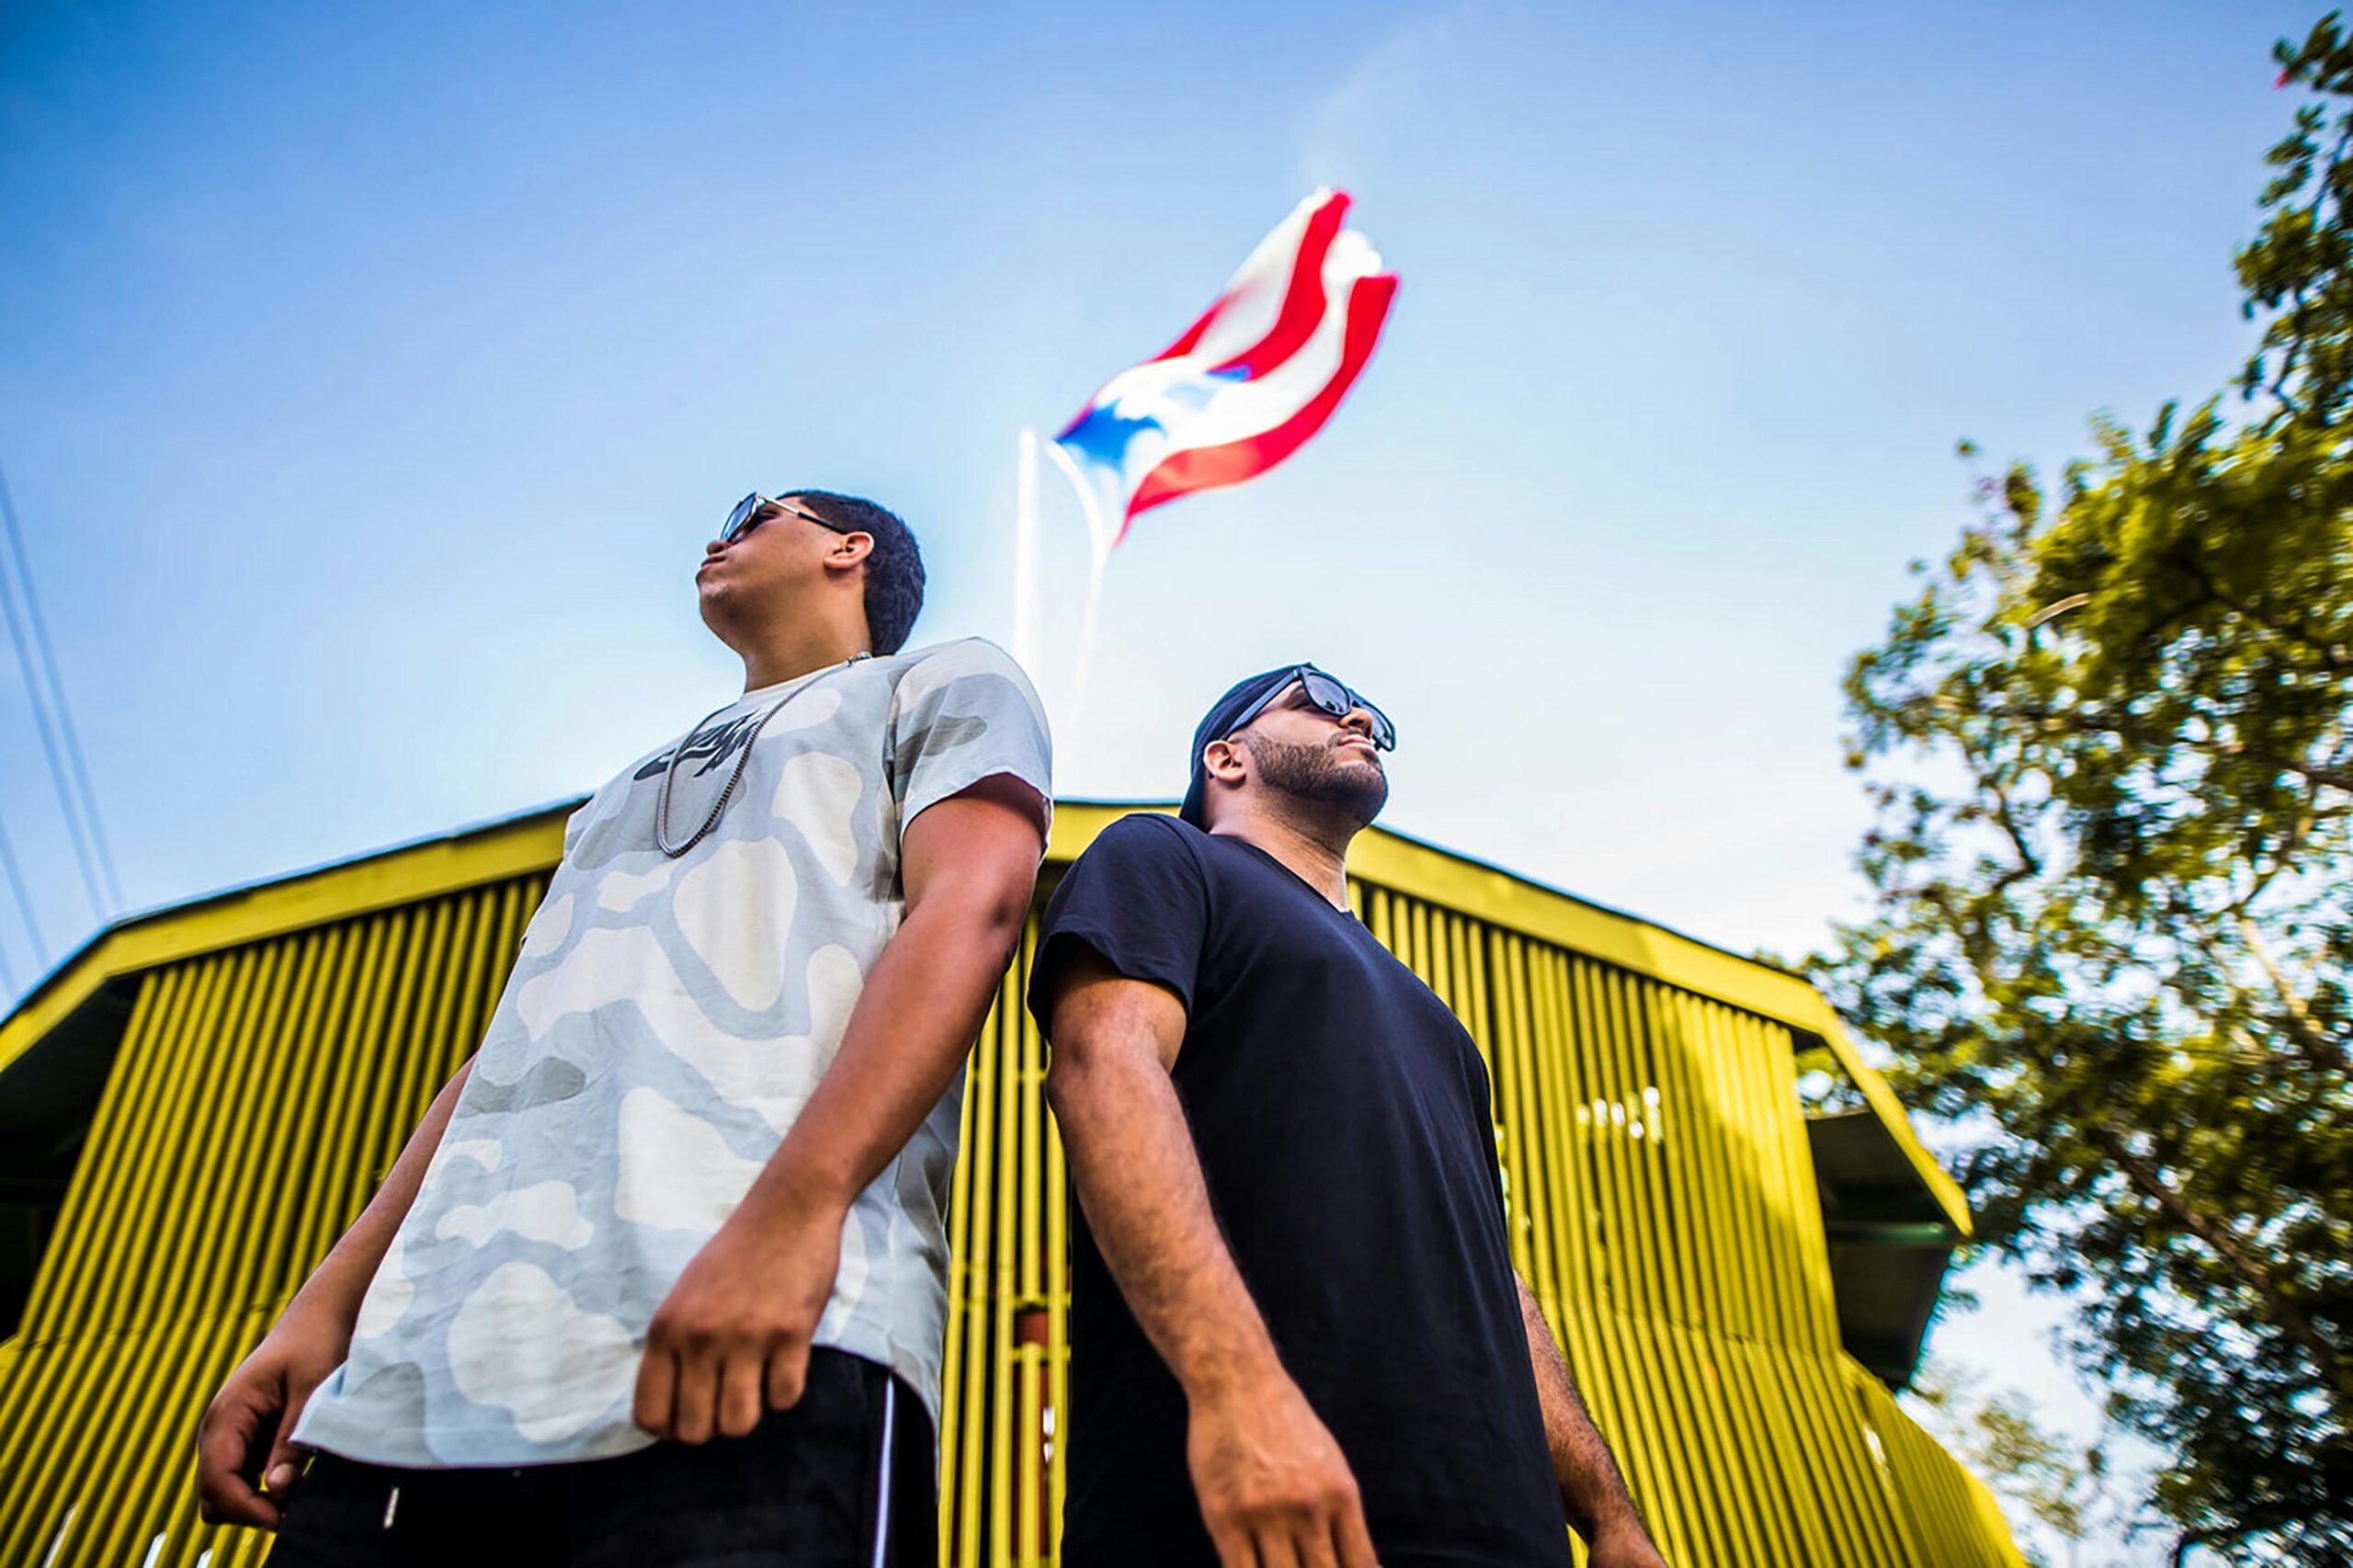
733	1338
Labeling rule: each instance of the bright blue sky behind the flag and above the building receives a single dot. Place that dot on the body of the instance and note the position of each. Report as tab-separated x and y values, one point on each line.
373	376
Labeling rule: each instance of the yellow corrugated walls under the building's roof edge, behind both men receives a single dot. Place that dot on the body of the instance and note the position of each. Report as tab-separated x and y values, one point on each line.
1655	1162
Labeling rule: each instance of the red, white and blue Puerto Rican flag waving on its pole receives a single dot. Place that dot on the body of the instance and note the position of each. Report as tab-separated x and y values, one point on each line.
1251	380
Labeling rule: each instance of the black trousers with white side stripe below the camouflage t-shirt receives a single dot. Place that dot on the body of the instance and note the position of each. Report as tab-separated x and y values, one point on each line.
813	1487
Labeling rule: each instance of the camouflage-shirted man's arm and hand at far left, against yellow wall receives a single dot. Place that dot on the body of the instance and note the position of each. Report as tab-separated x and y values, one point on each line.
246	1428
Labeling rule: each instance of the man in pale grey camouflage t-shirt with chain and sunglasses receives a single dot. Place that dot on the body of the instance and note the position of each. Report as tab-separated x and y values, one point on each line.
662	1277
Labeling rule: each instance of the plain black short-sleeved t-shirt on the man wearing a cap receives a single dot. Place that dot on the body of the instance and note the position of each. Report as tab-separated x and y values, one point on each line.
1345	1134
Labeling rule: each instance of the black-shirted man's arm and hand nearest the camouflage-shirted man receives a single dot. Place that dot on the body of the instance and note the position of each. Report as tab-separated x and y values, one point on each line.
1272	1482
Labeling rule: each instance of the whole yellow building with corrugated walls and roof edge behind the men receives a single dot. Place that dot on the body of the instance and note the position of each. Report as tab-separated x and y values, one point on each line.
204	1098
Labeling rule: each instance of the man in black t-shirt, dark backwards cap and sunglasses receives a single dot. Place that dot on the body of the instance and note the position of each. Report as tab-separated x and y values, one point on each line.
1295	1327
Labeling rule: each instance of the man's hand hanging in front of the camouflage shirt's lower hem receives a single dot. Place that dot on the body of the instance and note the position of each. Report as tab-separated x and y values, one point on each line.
733	1338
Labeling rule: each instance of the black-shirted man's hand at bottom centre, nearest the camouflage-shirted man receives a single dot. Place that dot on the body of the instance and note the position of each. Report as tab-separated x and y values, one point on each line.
1274	1487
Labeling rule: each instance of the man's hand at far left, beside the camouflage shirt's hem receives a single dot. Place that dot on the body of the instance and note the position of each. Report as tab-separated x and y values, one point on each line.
241	1444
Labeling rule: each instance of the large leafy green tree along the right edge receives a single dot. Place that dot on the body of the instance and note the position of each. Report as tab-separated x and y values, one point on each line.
2112	759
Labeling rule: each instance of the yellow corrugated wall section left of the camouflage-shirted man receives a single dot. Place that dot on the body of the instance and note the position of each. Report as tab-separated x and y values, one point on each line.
255	1103
